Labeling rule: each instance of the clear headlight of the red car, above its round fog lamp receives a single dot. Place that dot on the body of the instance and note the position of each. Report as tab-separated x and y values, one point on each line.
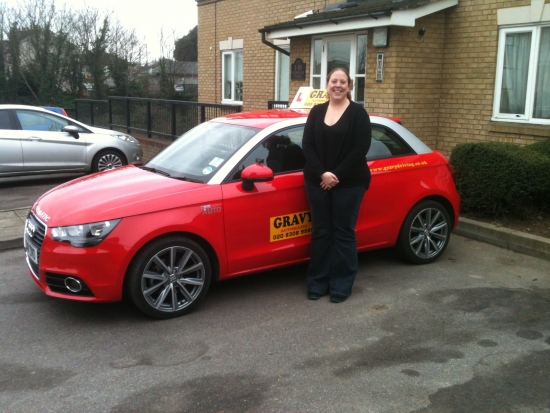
85	235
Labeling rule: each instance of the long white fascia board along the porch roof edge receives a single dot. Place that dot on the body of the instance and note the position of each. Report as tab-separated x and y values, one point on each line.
398	18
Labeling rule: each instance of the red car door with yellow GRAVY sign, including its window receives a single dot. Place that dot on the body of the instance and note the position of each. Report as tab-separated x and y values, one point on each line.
269	225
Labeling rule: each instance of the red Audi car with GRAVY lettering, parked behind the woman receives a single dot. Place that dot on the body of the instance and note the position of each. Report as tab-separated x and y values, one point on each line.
225	199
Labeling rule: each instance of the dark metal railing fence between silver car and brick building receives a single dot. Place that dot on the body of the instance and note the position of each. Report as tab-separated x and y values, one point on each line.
165	118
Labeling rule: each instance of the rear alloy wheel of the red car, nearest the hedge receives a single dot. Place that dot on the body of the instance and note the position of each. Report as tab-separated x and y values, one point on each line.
425	233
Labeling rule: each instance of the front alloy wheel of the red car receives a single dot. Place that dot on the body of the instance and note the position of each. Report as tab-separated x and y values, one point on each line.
169	277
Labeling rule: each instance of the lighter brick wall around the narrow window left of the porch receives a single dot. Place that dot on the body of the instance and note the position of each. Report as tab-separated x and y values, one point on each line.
241	19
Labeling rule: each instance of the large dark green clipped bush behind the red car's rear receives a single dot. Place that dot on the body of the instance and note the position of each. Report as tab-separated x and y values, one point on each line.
496	178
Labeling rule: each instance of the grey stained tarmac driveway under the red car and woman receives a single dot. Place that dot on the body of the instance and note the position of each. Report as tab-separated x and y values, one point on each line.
469	333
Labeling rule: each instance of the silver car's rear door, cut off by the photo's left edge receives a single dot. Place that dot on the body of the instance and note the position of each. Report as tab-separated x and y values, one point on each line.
11	154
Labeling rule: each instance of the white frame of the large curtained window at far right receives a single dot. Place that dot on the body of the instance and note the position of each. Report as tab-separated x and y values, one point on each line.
526	117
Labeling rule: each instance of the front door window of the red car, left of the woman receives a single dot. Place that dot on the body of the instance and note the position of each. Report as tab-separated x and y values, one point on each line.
282	152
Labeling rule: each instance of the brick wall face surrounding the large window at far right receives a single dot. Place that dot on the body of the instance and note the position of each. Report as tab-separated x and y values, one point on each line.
468	78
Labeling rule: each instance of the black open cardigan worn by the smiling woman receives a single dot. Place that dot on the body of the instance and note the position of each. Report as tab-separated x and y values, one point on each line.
351	163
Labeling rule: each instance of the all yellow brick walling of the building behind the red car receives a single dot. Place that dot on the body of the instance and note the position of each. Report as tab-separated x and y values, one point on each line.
441	85
